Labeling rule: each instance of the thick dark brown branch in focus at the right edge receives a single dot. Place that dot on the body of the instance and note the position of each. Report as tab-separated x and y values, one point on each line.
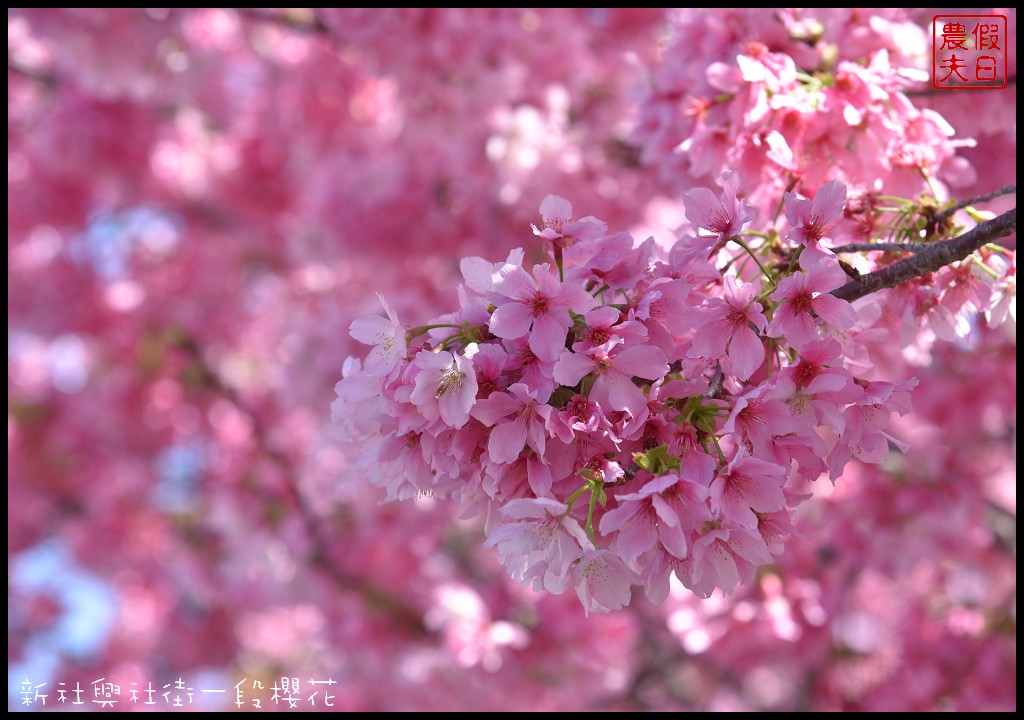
931	258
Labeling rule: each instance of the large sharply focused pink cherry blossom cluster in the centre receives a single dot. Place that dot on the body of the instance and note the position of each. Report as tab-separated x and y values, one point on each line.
624	414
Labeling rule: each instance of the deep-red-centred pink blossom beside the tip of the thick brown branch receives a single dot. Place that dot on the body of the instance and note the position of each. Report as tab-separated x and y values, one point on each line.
802	294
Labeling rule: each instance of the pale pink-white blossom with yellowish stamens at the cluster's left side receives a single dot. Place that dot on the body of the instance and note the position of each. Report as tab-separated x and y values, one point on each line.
446	386
